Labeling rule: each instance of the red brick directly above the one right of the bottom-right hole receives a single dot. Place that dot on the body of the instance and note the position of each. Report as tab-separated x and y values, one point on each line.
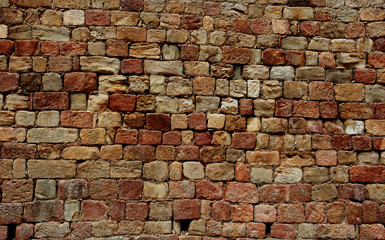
291	213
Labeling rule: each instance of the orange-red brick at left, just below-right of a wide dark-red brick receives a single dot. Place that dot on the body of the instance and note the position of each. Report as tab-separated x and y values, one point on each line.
76	119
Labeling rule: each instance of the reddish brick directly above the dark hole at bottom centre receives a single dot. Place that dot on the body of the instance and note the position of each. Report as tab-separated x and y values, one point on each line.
186	209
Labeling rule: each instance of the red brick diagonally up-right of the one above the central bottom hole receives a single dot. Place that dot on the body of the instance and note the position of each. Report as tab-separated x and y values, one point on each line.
209	190
